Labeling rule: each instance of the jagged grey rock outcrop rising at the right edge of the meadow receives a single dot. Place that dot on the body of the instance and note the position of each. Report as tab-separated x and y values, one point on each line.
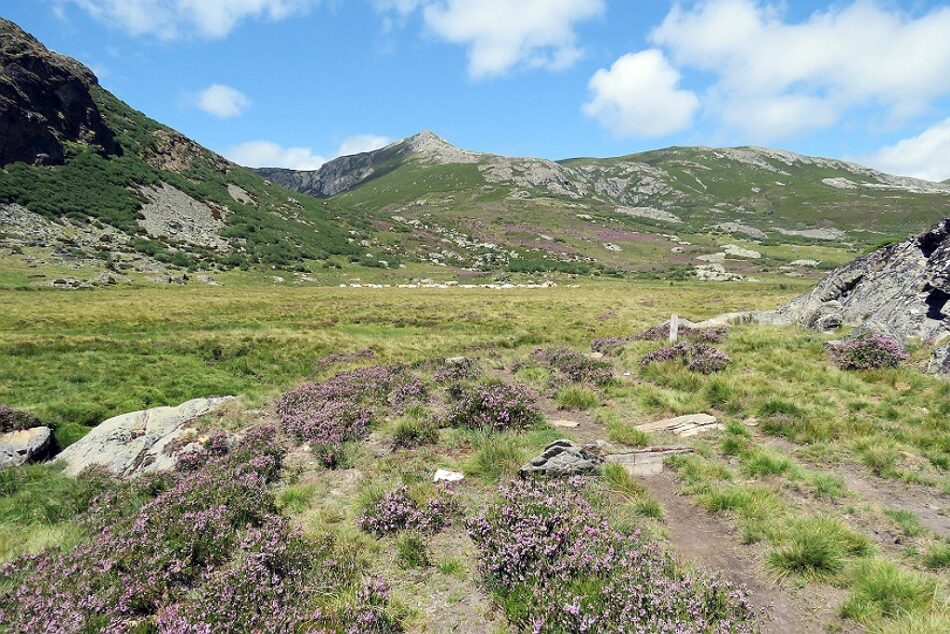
901	290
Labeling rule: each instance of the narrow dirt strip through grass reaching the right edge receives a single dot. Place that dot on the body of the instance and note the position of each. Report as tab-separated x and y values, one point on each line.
931	507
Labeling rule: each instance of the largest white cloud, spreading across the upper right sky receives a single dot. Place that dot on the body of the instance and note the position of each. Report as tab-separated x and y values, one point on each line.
773	77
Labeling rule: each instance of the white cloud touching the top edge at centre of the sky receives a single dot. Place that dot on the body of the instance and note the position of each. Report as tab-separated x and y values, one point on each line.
504	34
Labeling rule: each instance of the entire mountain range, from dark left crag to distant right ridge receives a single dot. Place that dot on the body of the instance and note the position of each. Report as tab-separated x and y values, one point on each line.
91	188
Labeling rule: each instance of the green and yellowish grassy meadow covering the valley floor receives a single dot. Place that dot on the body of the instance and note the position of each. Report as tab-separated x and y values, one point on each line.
826	493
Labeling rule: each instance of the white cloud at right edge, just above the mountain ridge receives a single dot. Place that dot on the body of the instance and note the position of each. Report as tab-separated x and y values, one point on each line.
926	155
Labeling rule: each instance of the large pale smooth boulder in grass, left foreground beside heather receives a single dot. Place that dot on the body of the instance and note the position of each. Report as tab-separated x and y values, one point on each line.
138	441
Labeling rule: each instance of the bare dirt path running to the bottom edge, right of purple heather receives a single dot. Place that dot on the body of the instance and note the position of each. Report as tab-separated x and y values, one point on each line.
706	541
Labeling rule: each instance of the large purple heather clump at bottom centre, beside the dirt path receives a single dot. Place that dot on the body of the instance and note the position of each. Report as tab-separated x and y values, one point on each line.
559	567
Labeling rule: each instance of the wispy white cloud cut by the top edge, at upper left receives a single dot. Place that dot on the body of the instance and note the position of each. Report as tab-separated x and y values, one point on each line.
170	19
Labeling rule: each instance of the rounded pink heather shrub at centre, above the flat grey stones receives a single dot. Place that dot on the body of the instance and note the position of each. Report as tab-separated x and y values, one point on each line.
494	407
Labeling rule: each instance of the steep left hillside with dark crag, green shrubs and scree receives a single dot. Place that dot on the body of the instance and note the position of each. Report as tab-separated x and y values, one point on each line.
86	181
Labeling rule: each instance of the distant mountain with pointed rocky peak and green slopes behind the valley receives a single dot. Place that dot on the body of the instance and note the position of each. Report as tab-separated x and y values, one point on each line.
745	209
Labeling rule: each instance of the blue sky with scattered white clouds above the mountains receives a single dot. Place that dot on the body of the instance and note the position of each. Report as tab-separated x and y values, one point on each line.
295	82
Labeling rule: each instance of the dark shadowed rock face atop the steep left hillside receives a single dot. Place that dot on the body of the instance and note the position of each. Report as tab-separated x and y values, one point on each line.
44	101
